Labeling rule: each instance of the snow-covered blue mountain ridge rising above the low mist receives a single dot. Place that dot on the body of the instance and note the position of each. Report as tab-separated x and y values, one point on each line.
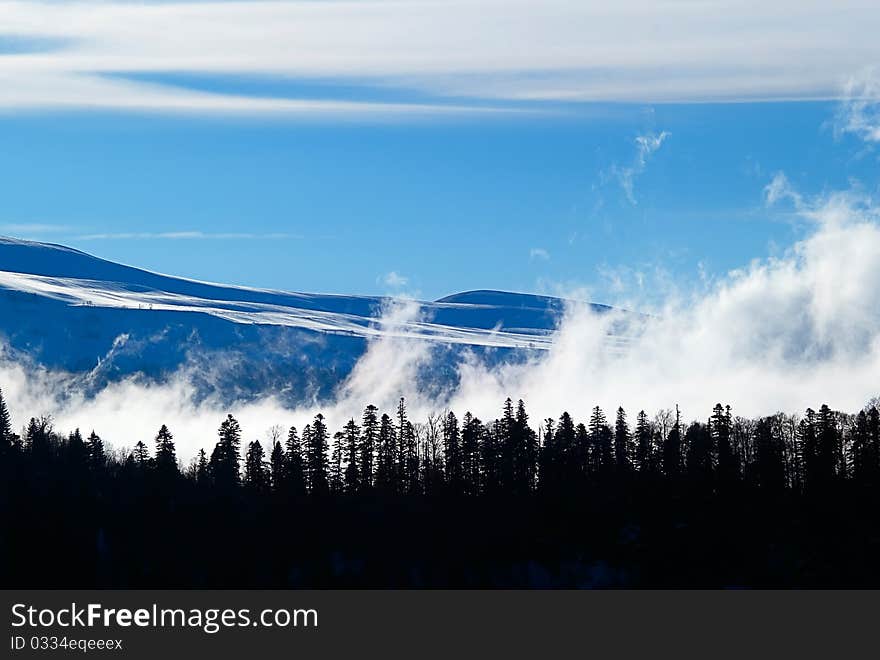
100	321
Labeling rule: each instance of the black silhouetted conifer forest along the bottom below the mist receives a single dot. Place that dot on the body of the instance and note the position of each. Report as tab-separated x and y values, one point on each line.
779	501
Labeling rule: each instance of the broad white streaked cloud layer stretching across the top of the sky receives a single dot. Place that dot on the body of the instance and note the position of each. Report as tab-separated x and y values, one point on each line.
632	50
